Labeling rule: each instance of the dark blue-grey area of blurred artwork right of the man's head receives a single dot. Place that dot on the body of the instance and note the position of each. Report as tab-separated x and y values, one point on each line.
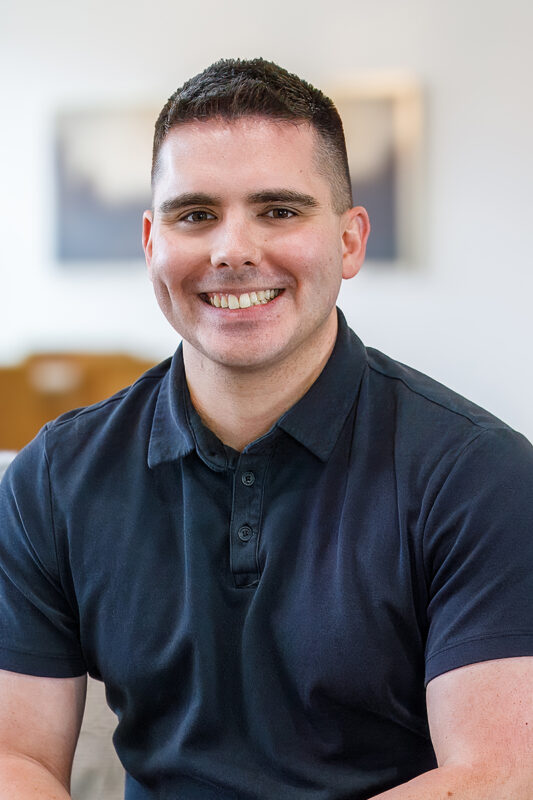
378	196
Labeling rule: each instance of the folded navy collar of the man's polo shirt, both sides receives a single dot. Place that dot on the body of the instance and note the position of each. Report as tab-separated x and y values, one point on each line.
315	421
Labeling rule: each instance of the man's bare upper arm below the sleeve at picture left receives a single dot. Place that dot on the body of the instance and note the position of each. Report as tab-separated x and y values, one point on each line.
40	719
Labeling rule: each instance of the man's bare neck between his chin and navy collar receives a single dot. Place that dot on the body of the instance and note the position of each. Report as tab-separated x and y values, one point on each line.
240	405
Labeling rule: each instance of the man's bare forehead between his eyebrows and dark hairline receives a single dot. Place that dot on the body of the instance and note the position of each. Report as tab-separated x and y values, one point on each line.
250	151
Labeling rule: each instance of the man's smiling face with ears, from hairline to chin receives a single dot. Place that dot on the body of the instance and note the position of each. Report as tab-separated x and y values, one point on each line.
239	210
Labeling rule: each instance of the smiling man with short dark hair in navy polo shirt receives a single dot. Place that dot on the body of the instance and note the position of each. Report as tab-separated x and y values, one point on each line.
270	545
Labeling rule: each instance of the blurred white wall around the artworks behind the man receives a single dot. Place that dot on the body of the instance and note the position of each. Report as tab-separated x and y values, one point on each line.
465	317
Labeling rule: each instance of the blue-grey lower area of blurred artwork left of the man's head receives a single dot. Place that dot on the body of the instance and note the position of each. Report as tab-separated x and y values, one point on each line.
90	229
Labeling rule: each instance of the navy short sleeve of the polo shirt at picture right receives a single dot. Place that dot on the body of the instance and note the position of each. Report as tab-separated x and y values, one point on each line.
478	554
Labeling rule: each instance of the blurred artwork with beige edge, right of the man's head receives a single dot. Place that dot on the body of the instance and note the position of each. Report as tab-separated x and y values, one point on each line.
382	118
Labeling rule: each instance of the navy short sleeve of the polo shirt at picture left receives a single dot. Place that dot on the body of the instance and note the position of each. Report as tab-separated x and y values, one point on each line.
38	624
